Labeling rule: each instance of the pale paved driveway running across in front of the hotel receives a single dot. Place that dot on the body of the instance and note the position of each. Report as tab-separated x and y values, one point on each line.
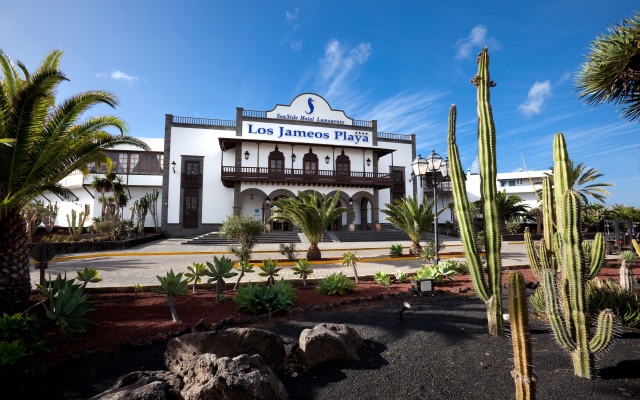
141	264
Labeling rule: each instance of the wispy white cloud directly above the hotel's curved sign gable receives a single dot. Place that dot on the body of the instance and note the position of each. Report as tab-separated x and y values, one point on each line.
338	65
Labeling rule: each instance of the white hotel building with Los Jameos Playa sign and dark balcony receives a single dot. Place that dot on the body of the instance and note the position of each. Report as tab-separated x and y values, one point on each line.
225	166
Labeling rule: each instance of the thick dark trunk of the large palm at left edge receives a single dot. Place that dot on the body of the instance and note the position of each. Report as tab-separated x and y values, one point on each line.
15	284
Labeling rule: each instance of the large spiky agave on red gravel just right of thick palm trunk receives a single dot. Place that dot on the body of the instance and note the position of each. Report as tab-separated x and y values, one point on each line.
66	304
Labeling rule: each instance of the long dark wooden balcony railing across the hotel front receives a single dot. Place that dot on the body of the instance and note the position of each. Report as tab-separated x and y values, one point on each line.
292	176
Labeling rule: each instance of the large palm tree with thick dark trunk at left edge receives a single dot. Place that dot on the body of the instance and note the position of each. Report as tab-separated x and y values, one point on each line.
43	142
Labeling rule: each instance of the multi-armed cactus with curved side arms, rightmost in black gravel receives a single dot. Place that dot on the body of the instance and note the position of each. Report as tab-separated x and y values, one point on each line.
564	287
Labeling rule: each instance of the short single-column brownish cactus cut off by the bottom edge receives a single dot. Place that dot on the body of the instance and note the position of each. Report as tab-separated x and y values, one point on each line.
523	375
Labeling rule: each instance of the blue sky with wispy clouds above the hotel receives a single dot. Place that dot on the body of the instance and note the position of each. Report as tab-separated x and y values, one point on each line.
403	63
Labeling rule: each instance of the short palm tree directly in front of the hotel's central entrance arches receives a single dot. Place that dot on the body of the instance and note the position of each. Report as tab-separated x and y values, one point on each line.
310	217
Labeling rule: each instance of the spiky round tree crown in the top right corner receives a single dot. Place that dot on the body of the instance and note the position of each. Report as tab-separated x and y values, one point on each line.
611	73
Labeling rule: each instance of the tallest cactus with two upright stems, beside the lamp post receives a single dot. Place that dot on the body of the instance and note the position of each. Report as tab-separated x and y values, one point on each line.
487	282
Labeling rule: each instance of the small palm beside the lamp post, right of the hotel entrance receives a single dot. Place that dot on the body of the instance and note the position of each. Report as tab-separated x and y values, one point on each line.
414	218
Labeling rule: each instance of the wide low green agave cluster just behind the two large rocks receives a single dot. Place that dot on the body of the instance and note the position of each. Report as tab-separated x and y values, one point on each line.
262	299
